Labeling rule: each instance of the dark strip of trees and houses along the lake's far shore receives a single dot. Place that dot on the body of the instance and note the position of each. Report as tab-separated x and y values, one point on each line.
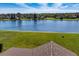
19	16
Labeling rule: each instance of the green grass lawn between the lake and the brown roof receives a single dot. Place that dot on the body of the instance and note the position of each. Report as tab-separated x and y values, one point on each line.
33	39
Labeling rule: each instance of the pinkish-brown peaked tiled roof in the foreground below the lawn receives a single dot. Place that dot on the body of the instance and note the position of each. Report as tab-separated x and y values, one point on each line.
49	49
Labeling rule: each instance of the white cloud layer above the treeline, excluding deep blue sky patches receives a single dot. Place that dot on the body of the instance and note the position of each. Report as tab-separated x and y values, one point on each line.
44	8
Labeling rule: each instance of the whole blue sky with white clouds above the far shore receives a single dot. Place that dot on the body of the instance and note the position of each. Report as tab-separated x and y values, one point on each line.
39	7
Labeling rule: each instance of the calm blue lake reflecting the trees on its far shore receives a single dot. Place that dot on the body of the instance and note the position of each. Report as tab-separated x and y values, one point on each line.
40	25
